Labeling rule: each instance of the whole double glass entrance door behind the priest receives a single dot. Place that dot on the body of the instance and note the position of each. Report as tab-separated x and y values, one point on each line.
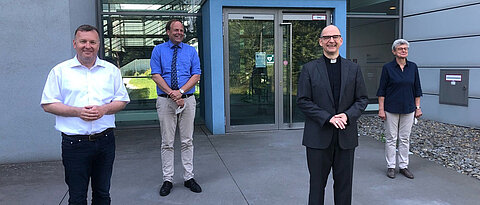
264	53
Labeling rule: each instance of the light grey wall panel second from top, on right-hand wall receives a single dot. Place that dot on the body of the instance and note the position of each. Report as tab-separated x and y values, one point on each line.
448	23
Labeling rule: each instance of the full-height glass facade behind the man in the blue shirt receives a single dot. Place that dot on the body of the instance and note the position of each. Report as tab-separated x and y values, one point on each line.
131	29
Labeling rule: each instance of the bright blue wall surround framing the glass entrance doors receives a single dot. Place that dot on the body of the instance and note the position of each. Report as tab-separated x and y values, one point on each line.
213	47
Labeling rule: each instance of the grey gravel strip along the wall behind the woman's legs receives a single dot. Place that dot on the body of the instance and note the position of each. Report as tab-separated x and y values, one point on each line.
452	146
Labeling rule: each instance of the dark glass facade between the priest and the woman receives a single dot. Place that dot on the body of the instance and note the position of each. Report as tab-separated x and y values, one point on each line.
372	26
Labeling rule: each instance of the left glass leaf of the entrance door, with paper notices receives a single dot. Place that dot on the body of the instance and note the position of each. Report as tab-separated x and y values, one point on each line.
251	71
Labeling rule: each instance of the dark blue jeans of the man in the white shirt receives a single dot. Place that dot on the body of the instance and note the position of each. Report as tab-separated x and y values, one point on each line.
86	161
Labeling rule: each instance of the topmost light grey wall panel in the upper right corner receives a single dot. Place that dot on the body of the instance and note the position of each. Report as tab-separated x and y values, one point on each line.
418	6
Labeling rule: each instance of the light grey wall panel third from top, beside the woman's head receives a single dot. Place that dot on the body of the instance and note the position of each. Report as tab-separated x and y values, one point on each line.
449	52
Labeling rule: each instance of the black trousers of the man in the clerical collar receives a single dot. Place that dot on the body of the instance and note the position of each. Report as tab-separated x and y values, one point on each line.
320	161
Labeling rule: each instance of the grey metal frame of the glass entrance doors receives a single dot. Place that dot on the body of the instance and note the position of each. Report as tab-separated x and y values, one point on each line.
280	122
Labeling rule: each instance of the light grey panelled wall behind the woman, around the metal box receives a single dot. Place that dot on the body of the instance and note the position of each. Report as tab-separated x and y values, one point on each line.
445	35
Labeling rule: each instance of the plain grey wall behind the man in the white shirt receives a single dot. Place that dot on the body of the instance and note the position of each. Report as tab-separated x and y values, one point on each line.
36	35
